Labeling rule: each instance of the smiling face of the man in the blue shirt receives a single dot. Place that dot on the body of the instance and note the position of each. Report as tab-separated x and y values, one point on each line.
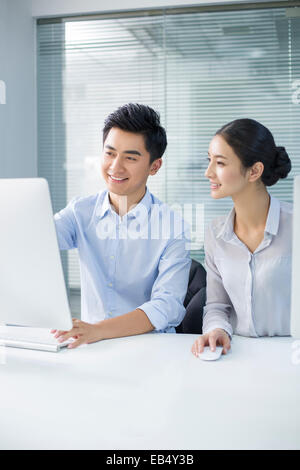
125	164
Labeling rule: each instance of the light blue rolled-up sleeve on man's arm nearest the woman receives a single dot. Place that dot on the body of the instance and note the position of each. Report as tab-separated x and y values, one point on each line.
165	308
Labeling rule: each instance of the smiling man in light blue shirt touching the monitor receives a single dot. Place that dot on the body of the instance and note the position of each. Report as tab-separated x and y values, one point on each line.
133	249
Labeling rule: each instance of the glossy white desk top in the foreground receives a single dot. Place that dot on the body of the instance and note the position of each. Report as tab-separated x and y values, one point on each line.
150	392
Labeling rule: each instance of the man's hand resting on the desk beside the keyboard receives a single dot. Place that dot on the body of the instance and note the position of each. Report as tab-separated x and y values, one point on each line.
82	333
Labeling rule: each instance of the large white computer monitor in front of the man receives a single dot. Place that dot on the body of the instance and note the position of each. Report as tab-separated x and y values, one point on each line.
32	286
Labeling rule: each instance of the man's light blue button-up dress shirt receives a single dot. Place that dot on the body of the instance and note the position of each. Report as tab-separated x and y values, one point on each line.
140	260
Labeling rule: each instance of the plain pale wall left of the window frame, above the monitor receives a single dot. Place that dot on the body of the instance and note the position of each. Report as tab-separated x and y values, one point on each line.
17	70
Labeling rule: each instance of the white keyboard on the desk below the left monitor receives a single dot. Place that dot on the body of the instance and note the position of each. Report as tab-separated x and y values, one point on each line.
30	338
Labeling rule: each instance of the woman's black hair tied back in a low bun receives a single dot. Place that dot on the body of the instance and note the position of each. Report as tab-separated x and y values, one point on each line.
252	142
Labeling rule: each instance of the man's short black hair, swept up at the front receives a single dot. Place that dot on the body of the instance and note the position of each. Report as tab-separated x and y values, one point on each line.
139	119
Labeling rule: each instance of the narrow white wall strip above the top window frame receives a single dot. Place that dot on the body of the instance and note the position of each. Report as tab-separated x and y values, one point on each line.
43	8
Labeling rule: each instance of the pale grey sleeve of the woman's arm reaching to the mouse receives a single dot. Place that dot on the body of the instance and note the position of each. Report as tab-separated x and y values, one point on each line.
218	308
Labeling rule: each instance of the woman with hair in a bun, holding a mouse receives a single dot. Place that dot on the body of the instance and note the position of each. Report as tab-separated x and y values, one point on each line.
247	252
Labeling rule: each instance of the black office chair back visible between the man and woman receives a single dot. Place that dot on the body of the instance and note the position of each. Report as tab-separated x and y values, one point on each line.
194	300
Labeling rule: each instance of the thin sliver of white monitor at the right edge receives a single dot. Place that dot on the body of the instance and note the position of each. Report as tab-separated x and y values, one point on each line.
295	304
